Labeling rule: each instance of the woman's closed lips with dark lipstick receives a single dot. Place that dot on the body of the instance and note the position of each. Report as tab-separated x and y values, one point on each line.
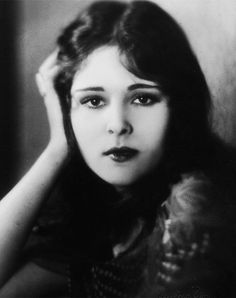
121	154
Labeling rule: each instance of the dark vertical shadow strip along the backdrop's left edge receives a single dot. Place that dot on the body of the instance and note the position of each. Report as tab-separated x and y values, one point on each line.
9	100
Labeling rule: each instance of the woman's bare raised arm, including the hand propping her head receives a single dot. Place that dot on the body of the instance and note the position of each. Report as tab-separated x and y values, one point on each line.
19	208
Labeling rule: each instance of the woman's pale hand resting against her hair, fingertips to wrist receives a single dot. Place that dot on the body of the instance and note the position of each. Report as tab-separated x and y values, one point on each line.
45	83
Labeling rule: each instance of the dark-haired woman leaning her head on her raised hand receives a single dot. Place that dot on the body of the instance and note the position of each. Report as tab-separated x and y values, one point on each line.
131	169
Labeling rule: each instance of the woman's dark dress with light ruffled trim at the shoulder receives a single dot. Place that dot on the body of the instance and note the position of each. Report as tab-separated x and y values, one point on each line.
139	247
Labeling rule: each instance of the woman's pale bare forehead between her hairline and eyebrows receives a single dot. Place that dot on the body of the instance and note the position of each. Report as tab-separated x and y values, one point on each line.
104	68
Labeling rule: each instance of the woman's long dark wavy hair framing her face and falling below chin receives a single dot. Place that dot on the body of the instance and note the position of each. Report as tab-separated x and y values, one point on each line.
155	48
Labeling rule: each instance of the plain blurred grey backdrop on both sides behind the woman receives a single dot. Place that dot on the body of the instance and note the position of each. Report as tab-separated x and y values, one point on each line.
29	29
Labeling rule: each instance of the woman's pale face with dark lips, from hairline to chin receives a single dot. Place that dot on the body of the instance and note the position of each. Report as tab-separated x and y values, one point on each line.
119	120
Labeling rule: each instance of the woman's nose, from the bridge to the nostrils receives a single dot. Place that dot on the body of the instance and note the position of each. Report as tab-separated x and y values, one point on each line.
118	122
